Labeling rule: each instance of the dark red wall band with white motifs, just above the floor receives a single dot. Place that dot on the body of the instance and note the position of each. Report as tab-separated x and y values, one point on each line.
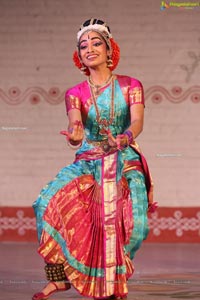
167	224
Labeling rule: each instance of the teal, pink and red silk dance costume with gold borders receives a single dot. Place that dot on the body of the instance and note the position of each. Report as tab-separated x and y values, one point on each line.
93	216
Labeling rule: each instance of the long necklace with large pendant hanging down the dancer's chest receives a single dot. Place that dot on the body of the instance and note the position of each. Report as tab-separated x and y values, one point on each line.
104	123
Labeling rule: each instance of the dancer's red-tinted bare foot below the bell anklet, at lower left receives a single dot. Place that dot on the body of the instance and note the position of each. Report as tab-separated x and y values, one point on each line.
50	288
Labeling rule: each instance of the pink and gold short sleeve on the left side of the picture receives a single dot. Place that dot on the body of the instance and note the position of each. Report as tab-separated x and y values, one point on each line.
72	99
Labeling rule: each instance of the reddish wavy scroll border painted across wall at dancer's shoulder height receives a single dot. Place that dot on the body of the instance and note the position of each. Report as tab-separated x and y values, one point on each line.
54	96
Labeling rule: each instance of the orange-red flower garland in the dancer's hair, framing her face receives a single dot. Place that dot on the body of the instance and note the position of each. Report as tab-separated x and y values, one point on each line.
115	58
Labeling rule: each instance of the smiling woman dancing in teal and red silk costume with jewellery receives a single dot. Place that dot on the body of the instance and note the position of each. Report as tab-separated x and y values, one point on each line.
92	217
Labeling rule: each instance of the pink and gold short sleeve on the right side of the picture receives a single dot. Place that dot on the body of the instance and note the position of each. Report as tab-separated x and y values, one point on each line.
136	92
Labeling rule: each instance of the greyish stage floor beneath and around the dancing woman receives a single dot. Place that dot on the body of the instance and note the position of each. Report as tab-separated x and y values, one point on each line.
162	272
